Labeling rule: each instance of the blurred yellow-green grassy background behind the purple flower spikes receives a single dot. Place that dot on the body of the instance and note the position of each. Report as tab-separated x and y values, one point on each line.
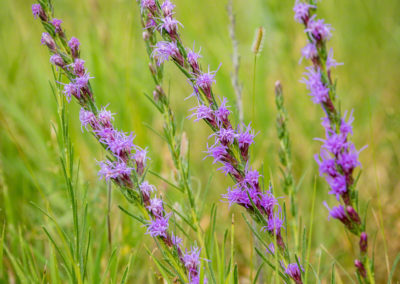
366	38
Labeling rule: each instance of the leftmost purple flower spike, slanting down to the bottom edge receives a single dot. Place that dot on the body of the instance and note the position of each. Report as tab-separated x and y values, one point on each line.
126	165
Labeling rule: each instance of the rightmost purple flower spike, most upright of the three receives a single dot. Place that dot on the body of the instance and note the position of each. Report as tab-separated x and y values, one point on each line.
338	157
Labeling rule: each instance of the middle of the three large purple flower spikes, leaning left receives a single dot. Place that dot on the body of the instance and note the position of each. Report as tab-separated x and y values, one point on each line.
231	144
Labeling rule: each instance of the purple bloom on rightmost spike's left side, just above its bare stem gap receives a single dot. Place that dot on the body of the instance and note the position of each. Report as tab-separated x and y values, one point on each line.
318	91
